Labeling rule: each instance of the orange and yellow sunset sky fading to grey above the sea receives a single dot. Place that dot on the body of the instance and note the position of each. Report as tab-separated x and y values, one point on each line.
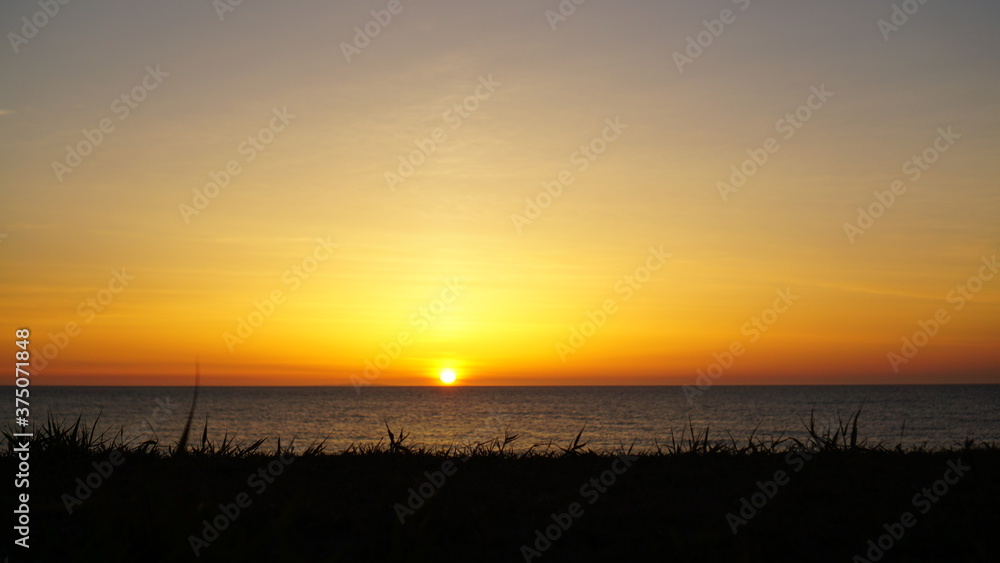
524	192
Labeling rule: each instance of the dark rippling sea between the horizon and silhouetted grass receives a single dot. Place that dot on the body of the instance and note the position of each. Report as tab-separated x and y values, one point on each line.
935	415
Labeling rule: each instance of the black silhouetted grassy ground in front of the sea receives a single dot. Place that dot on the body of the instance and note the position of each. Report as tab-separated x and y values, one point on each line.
811	501
